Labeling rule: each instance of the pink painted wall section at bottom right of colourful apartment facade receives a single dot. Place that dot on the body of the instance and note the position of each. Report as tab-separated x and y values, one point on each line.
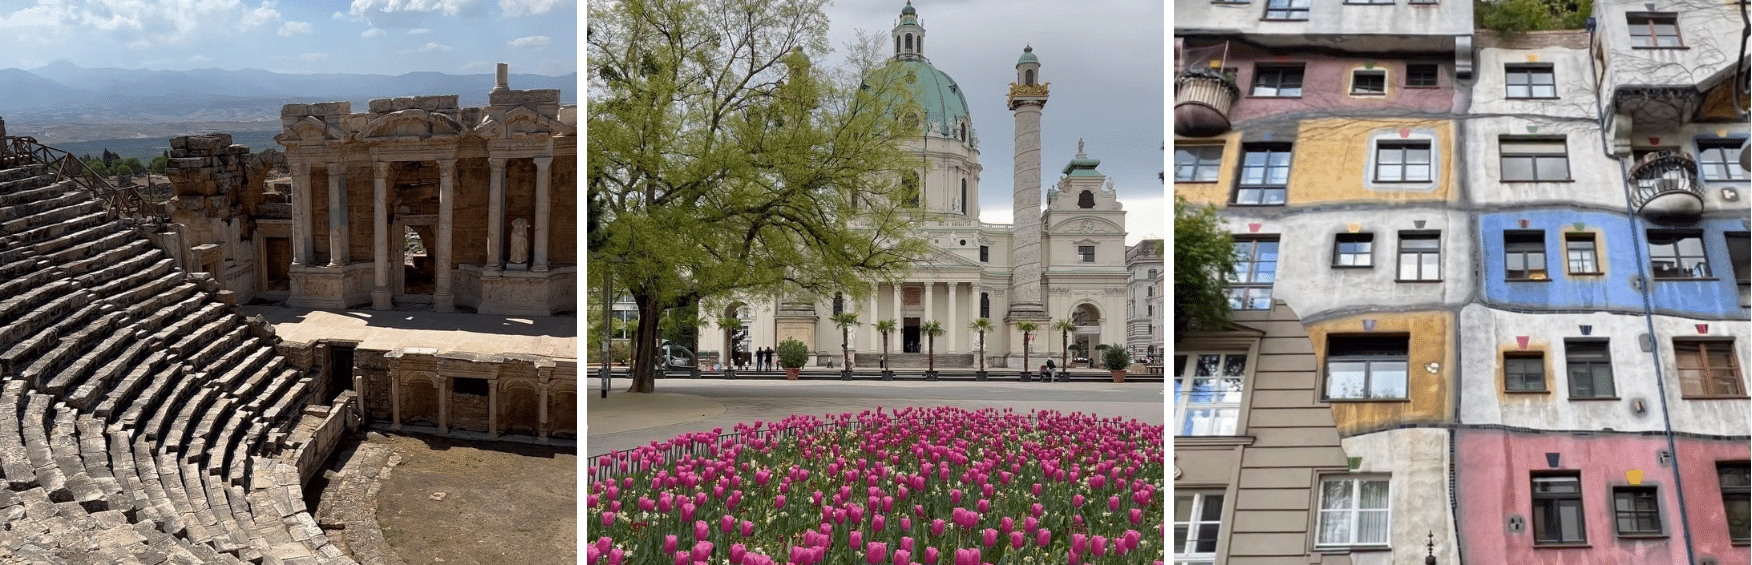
1494	482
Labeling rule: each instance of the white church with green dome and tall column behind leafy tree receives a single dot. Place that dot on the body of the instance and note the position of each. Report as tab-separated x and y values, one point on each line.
1066	262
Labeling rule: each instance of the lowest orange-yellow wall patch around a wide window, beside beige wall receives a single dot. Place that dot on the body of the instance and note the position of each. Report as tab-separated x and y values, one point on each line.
1431	394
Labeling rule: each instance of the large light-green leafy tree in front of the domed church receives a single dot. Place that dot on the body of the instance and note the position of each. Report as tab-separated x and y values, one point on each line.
723	162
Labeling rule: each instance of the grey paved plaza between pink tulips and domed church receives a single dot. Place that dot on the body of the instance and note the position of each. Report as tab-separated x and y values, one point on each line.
628	420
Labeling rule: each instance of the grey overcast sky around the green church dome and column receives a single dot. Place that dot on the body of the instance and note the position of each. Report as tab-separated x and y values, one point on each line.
1105	62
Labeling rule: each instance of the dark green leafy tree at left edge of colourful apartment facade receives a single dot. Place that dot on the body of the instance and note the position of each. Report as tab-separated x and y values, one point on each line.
1204	255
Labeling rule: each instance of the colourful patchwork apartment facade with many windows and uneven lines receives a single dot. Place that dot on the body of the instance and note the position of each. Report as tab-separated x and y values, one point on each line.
1508	273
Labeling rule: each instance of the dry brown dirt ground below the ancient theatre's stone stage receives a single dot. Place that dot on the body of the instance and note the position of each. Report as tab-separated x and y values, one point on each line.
476	503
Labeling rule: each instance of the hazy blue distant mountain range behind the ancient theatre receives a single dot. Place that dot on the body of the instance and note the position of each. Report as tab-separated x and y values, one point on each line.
66	92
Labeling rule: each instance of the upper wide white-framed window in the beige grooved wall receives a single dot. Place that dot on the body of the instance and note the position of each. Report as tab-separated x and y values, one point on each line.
1208	392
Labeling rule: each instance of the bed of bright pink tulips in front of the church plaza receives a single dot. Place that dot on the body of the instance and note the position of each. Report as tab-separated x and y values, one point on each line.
921	485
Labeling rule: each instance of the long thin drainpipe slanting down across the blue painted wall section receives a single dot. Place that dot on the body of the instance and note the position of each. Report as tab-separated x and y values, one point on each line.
1648	303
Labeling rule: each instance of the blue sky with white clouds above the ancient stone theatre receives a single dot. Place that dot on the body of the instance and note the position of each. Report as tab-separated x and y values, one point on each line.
364	36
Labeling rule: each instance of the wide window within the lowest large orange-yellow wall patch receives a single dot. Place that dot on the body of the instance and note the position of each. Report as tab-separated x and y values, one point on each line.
1366	368
